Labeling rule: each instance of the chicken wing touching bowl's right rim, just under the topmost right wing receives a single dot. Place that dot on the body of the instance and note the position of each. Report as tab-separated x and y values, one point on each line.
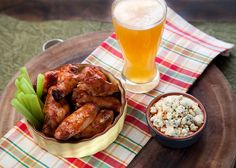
108	102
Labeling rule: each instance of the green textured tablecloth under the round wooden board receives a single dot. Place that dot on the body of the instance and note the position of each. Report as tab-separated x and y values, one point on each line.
22	40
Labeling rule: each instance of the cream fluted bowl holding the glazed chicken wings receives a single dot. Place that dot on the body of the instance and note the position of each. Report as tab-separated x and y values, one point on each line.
89	146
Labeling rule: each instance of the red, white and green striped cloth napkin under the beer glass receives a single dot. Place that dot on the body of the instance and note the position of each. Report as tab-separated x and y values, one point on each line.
184	54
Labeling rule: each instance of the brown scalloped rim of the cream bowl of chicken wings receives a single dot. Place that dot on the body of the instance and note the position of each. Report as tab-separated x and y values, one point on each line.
122	108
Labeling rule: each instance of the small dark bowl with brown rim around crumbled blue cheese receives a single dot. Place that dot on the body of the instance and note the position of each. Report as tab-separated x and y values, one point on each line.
176	142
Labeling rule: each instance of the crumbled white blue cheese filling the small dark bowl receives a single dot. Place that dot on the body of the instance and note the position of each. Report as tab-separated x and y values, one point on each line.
176	116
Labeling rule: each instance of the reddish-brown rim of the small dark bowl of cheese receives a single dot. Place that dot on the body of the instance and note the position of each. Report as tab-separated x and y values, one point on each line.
156	99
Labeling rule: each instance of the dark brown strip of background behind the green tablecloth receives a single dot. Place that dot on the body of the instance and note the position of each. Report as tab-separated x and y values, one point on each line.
192	10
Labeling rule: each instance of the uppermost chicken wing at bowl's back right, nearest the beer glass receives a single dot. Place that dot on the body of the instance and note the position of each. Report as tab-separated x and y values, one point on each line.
97	87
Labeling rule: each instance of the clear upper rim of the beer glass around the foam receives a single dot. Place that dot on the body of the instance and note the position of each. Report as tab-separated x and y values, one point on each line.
148	26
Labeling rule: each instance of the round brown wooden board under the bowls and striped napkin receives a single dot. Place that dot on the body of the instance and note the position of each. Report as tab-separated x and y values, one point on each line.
216	148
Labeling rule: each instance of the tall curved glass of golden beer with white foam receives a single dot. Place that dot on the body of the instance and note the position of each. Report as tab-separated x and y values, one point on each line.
139	26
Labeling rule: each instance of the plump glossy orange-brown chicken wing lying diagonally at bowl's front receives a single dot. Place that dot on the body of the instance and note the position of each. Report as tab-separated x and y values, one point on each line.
76	122
